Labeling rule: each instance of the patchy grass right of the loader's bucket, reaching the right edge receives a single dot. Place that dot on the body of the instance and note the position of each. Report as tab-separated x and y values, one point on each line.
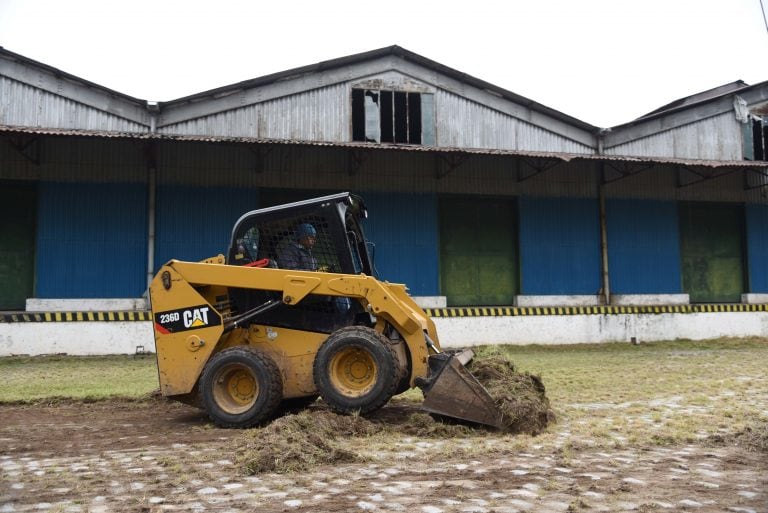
656	393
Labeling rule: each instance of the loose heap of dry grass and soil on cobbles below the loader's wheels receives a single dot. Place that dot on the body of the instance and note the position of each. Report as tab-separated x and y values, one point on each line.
299	442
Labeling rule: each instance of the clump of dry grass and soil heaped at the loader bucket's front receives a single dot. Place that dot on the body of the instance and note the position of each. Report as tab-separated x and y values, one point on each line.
521	397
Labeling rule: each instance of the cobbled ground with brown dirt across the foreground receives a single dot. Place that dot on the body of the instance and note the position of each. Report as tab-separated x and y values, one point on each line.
157	456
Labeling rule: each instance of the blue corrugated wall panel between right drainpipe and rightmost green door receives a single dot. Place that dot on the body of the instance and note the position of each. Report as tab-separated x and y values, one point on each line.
643	247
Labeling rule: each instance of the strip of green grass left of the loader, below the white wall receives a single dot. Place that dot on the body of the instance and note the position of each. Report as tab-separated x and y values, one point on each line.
31	379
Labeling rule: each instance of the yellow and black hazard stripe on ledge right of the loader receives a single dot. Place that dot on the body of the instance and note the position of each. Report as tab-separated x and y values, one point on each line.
517	311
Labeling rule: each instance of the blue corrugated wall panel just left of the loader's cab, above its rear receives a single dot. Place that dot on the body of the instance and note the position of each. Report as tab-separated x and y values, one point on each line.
194	223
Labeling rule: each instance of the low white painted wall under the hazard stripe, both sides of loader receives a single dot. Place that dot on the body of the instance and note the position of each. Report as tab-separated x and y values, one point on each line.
94	338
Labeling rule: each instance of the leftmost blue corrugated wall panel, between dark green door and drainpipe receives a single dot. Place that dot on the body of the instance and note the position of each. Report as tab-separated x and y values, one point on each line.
91	240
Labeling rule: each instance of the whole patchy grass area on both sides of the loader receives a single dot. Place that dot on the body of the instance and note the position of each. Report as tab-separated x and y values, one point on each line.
657	393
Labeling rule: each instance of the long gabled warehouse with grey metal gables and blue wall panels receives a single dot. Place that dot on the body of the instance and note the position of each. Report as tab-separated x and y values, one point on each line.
478	196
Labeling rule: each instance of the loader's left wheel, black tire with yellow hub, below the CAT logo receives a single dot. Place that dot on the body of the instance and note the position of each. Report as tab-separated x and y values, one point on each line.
256	379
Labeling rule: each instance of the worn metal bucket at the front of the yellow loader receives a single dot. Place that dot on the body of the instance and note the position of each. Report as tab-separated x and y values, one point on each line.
451	390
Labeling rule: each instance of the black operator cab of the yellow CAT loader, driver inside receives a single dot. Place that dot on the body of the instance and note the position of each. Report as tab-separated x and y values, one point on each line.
277	237
